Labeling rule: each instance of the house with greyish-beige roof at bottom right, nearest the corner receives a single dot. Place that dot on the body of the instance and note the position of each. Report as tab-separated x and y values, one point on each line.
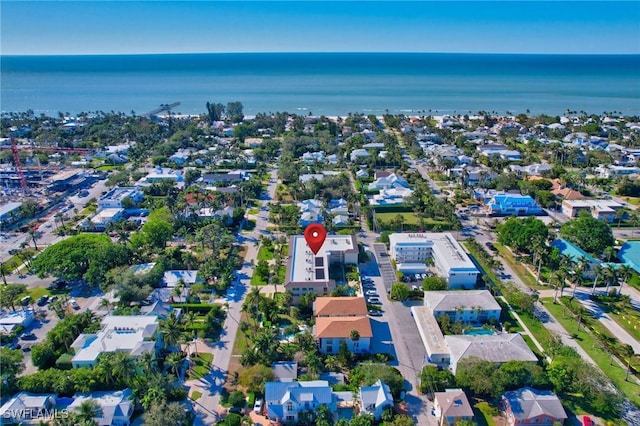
532	406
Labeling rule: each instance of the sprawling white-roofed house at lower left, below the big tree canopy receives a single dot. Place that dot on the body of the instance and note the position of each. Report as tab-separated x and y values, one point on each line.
134	334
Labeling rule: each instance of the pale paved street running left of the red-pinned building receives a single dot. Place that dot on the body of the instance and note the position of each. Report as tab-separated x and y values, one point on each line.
208	405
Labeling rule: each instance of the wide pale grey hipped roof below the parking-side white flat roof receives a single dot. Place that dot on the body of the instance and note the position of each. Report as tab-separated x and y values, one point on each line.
499	348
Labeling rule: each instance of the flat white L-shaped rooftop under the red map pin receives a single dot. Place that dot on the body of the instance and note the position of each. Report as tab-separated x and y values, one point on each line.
305	266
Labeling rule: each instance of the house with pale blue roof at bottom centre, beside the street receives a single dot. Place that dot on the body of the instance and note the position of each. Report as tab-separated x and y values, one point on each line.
286	400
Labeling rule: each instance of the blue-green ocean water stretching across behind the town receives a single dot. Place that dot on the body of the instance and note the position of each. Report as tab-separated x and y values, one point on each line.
323	83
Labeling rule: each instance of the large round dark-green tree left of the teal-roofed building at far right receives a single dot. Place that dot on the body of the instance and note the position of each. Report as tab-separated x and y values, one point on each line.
588	233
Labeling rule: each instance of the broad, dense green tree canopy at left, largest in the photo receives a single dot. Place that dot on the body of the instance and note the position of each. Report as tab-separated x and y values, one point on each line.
88	256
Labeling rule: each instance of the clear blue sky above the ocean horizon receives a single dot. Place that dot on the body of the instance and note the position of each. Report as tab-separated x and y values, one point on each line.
102	27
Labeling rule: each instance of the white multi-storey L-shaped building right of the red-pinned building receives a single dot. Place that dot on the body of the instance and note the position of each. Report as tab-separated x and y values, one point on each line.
411	251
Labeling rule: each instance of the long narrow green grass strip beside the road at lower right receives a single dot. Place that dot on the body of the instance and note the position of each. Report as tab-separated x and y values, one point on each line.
592	347
